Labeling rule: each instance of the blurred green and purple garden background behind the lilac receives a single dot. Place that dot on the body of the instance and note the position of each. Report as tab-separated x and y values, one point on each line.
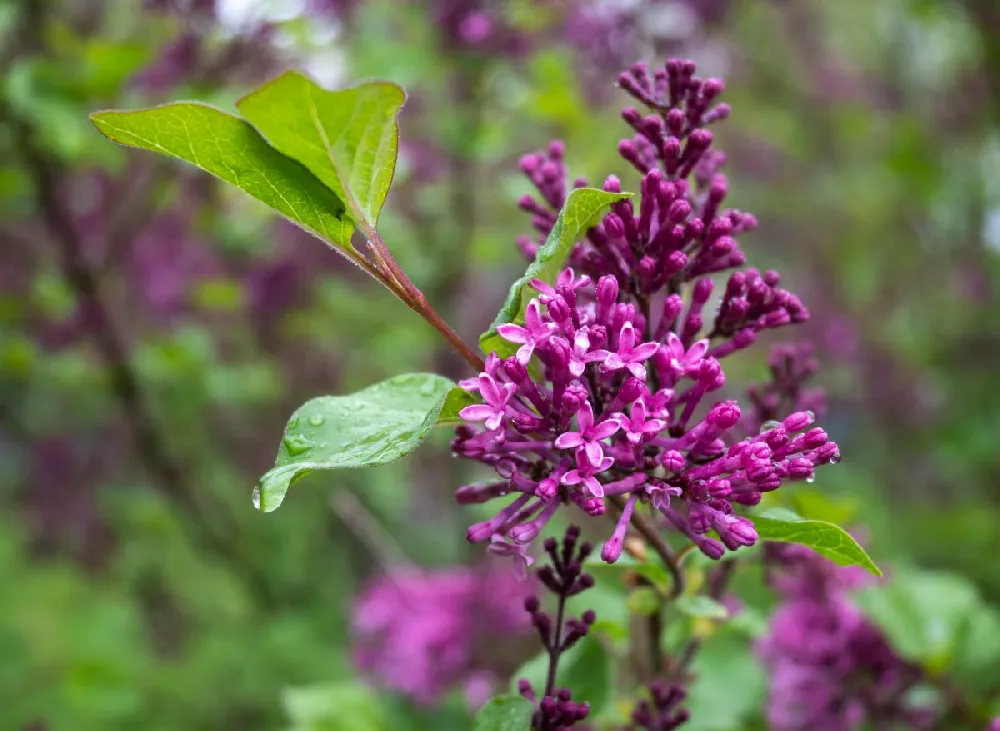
157	328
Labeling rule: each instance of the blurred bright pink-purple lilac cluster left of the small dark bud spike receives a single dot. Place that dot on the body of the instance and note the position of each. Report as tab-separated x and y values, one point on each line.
415	632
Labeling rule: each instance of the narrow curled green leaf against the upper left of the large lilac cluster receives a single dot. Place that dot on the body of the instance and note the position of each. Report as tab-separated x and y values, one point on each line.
583	209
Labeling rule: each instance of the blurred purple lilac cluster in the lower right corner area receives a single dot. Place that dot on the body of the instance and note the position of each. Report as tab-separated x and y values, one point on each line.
829	667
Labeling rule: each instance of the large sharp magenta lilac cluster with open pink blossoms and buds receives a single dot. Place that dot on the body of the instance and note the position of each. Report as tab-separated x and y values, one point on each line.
620	410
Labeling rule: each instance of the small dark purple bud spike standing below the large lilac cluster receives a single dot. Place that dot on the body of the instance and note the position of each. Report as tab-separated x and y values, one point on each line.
563	577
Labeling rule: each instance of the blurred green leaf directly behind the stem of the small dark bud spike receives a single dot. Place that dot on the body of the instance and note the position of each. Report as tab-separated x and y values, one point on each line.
585	669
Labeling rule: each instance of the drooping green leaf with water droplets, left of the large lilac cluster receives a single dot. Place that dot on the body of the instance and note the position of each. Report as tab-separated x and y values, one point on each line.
371	427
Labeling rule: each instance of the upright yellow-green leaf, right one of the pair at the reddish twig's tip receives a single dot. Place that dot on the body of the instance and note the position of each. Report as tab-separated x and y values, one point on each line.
348	139
